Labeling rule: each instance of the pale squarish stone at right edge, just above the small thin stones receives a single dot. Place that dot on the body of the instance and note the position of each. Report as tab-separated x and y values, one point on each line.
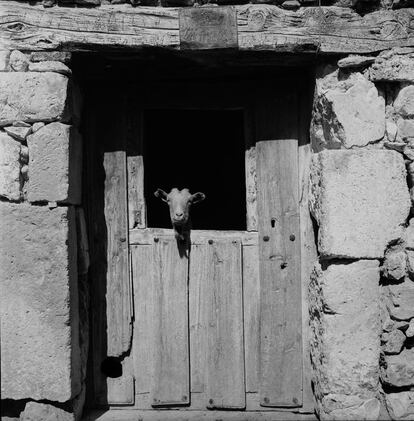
401	303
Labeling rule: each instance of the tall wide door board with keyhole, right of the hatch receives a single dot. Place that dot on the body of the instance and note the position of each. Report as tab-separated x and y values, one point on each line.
280	283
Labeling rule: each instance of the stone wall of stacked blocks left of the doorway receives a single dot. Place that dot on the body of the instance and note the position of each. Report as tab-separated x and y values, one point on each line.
43	259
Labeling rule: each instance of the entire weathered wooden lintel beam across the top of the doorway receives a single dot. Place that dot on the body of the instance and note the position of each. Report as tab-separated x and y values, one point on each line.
259	27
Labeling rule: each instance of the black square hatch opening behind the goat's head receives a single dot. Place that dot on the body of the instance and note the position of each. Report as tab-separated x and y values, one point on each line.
202	150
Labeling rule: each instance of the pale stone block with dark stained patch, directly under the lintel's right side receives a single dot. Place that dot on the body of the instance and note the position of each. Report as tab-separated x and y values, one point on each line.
346	113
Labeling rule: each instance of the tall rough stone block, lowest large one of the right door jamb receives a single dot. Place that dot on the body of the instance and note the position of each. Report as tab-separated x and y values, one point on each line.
345	340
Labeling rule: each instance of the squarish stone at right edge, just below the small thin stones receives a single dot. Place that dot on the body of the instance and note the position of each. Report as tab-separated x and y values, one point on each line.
399	369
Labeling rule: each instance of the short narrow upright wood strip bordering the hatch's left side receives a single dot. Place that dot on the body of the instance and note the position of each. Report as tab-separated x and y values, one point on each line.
137	217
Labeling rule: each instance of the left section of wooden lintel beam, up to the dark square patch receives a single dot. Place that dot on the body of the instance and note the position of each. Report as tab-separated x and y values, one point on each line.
36	28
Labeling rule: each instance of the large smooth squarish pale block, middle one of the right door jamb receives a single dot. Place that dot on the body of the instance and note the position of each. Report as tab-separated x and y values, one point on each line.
360	200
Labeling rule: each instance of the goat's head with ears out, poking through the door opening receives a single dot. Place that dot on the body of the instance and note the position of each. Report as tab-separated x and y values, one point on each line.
179	202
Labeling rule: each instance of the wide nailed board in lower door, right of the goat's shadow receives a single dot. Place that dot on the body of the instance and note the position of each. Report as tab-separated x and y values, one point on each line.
225	361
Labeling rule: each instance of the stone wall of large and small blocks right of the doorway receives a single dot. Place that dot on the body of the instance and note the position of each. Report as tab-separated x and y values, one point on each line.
362	289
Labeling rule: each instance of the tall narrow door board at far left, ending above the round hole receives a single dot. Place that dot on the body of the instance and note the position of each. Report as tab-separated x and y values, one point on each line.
118	296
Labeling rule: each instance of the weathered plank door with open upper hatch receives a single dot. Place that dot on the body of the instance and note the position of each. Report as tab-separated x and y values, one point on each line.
222	326
